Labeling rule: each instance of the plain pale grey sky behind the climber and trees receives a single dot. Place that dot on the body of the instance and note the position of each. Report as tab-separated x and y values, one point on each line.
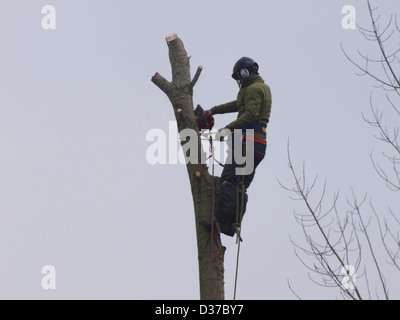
76	103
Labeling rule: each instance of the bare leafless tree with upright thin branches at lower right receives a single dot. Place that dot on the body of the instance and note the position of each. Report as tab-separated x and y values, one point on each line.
335	240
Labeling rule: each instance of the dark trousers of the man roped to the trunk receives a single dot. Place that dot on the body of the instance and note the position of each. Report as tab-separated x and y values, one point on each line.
232	187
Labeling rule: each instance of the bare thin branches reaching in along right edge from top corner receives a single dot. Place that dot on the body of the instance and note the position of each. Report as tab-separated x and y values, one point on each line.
385	70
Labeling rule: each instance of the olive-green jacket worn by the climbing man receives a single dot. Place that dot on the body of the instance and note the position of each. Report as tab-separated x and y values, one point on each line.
253	104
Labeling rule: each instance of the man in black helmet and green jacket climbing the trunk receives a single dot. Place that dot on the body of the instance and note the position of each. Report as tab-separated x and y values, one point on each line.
253	105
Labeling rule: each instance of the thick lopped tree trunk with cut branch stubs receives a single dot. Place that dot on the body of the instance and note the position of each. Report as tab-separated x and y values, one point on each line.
180	93
